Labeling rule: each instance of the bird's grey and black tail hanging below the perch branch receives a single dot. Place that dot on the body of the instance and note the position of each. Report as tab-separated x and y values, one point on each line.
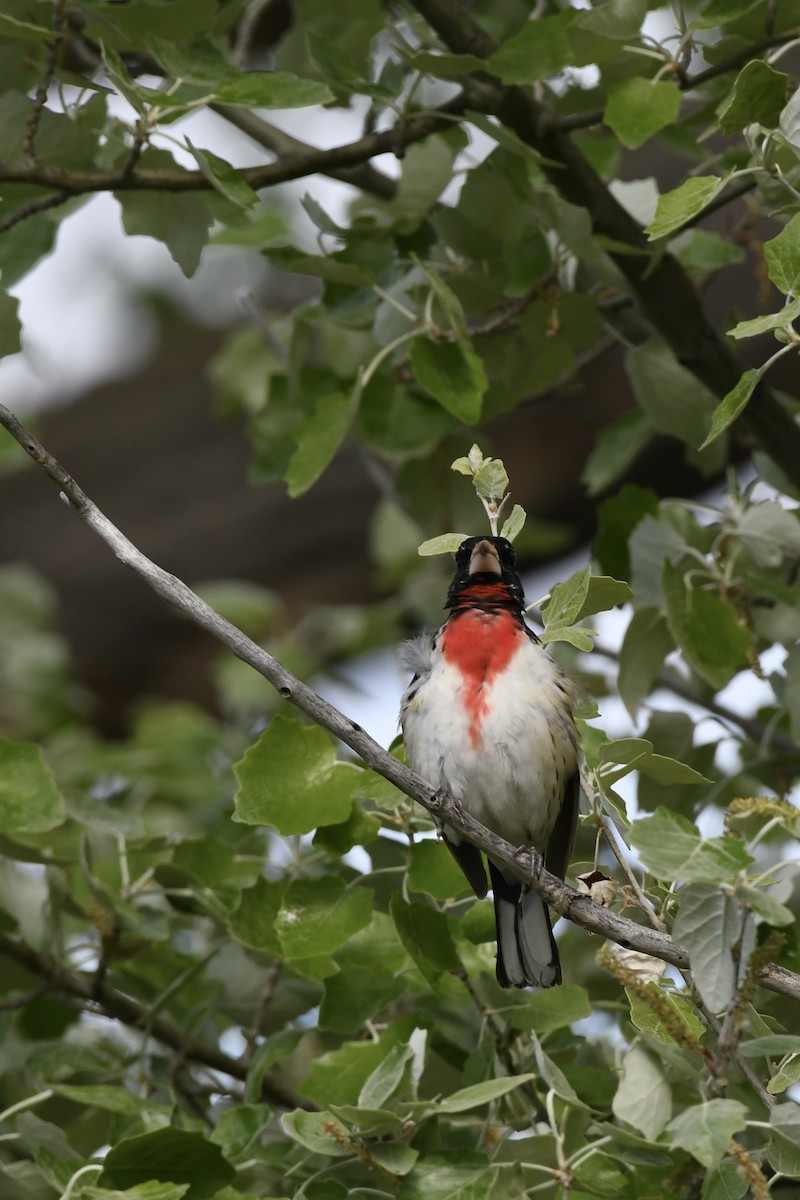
527	952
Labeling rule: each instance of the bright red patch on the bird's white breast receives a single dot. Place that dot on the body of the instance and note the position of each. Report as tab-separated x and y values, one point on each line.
480	646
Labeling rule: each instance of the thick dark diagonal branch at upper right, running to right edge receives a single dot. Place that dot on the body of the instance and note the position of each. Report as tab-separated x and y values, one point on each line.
663	289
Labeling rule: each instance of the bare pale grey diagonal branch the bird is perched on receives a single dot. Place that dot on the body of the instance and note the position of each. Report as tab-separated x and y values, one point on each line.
522	863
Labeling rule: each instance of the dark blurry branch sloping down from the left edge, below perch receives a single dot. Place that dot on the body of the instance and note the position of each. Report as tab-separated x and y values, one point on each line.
110	1003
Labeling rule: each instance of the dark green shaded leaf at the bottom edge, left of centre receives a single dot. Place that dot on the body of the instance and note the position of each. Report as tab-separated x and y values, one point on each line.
172	1156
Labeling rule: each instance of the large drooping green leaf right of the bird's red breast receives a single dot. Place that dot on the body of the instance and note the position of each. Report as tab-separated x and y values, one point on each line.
706	629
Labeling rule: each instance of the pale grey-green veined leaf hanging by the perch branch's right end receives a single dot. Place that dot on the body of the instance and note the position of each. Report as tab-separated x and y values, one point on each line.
709	925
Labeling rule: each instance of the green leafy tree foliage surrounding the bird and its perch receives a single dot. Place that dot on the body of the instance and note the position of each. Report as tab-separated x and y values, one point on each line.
233	967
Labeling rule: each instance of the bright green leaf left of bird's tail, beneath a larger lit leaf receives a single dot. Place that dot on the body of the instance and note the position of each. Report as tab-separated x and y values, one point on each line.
318	916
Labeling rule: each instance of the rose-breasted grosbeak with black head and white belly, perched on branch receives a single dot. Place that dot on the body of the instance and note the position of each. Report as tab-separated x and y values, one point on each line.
489	718
